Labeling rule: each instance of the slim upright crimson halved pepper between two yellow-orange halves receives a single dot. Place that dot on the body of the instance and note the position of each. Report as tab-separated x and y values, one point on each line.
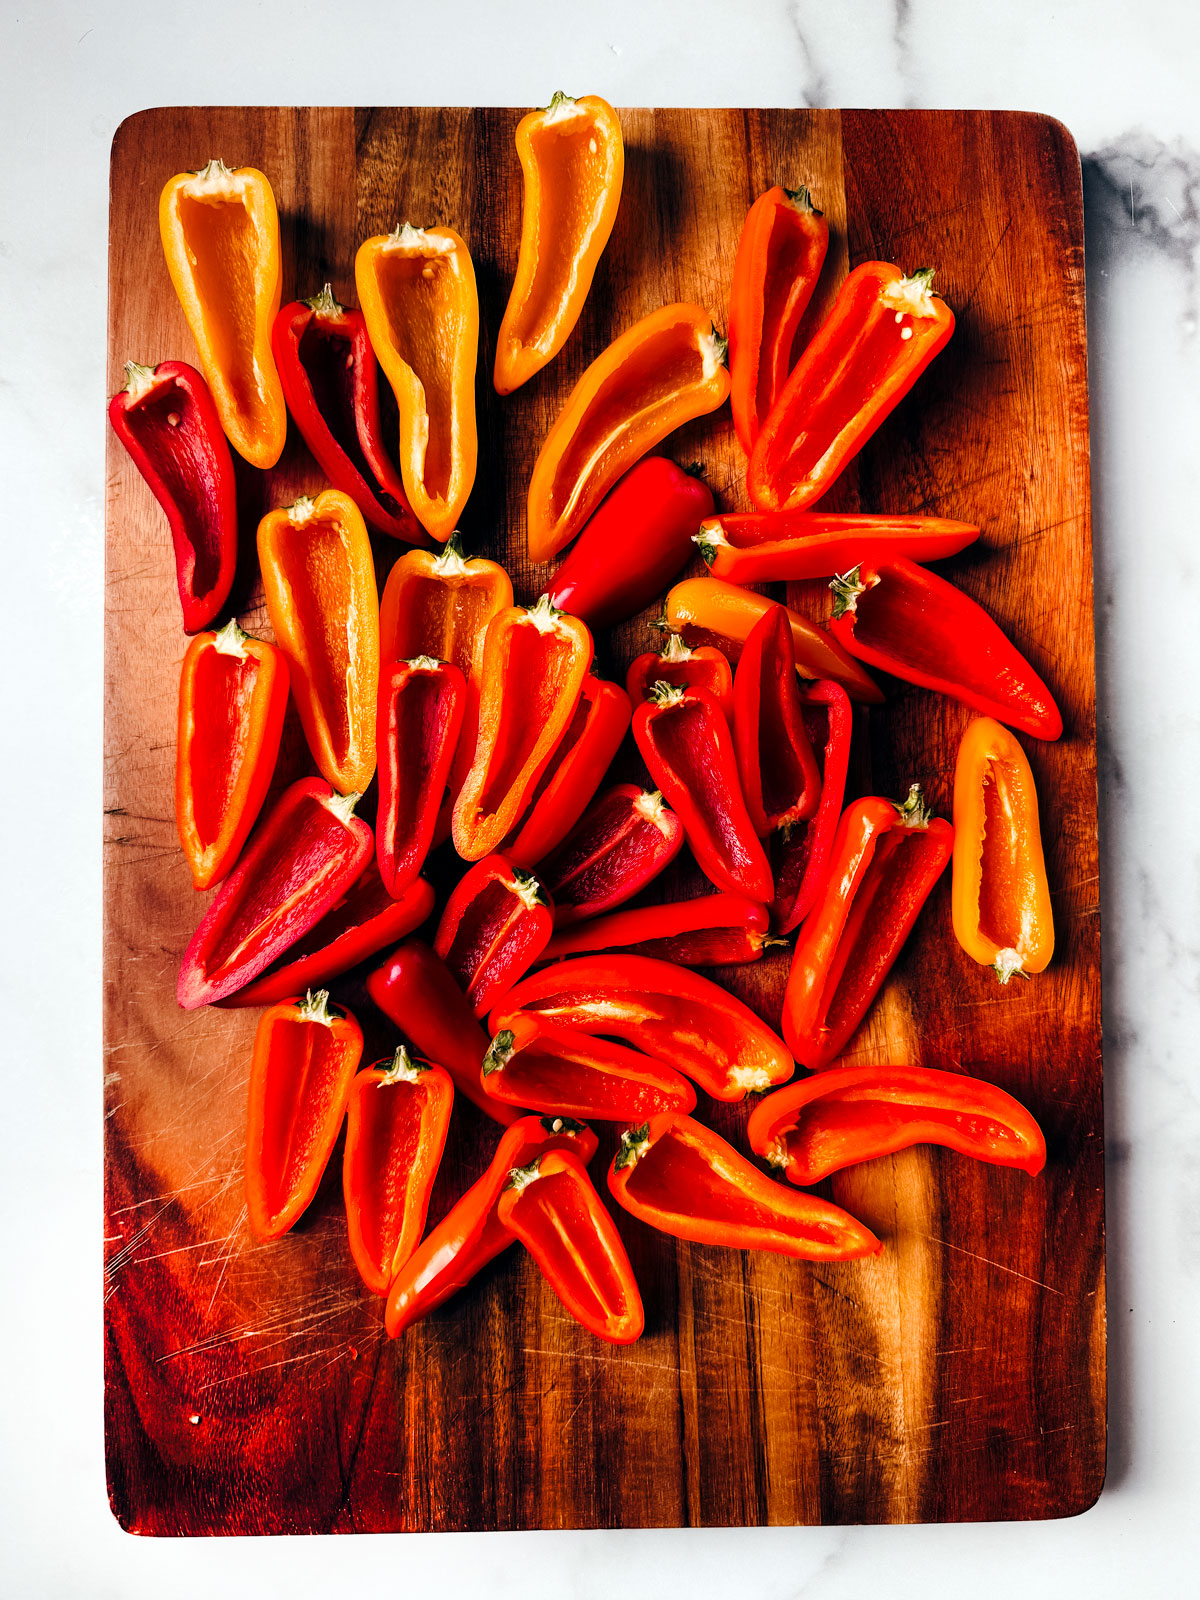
418	724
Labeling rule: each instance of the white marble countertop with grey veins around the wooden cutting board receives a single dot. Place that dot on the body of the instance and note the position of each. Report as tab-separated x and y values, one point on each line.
1126	82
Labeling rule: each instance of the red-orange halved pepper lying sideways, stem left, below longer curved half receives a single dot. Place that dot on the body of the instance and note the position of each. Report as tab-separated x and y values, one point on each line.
556	1070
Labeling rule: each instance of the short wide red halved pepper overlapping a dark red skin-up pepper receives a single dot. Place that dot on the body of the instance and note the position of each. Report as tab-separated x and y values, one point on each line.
495	927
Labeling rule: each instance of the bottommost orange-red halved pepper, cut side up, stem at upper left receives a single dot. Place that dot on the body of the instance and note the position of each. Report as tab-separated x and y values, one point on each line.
553	1209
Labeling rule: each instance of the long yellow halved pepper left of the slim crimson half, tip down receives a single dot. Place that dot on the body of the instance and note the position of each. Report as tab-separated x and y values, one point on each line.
324	606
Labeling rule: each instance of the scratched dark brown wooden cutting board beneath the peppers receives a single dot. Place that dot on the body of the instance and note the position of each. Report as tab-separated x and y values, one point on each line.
961	1375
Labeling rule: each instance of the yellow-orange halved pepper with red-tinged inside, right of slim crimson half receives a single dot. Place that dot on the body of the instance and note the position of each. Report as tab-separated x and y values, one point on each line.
535	663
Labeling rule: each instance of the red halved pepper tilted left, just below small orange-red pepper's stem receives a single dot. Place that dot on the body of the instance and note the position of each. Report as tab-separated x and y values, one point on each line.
686	743
